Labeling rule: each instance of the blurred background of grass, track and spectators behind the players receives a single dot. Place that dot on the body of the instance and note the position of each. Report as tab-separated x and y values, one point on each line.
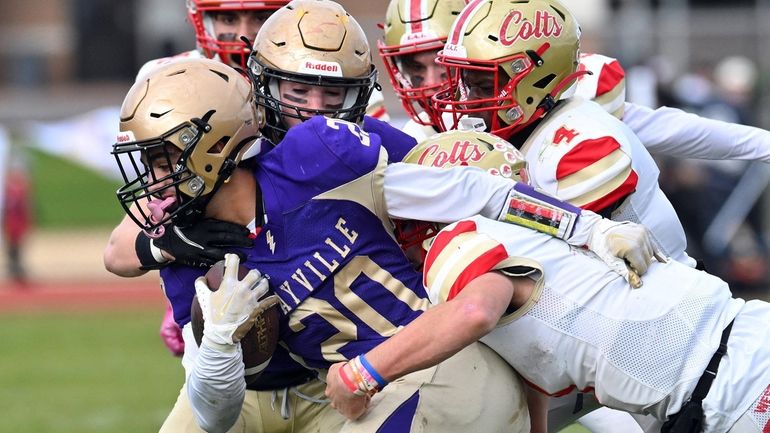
80	351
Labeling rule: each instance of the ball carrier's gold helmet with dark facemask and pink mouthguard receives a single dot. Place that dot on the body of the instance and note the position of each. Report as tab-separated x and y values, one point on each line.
183	129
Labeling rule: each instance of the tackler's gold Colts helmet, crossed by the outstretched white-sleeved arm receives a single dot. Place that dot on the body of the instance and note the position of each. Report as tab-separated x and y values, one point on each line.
453	149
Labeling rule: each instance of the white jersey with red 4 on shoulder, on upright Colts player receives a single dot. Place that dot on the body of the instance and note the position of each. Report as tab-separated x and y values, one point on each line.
583	155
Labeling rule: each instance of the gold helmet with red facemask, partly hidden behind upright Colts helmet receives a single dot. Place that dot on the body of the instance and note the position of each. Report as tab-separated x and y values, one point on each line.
411	28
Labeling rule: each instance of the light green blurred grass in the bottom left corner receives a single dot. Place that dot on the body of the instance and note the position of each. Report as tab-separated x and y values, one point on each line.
87	372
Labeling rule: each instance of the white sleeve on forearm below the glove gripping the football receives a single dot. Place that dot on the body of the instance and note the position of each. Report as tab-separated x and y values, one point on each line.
216	388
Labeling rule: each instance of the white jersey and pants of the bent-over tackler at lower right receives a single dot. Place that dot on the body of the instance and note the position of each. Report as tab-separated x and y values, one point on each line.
584	328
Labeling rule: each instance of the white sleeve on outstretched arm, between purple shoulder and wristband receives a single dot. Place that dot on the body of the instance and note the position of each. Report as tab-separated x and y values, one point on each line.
443	195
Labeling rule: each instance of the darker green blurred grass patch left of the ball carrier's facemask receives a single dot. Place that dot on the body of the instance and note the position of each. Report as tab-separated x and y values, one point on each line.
68	195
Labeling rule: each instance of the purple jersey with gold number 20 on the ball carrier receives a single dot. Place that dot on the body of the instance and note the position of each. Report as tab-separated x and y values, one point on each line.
344	283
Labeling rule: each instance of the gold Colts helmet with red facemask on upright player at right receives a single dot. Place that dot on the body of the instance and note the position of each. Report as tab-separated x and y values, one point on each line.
509	63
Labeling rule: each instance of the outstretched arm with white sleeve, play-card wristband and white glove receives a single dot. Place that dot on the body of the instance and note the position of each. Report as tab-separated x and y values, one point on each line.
446	195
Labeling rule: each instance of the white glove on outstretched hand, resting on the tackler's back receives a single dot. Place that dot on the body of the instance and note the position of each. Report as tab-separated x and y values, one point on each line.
625	247
